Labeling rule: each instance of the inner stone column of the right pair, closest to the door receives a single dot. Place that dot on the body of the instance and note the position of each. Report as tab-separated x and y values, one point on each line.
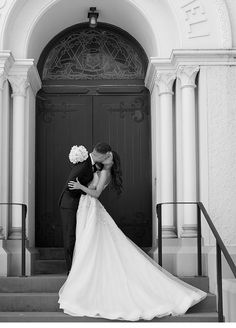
165	82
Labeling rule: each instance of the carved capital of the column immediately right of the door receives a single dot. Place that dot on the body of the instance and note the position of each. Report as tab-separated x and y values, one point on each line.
164	81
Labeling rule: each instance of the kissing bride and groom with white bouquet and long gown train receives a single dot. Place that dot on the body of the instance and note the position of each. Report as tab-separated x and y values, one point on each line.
108	275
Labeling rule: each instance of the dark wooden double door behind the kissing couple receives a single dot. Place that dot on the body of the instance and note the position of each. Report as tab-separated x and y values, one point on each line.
123	121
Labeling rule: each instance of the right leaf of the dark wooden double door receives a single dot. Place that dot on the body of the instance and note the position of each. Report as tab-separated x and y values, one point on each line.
124	122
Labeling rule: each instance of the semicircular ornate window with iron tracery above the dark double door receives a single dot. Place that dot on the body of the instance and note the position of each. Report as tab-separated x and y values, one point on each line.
94	54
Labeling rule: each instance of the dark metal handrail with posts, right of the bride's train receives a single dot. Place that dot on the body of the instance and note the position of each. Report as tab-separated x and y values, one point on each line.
220	247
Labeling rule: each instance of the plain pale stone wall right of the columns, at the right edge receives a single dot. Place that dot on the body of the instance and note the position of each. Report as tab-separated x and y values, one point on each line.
221	117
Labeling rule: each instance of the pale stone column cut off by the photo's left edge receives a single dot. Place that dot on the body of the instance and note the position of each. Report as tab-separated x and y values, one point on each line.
2	81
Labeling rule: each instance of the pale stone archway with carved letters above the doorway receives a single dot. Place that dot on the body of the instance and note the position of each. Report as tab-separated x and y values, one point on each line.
164	25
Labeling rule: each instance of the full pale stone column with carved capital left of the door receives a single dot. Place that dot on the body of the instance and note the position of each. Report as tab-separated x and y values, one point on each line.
19	85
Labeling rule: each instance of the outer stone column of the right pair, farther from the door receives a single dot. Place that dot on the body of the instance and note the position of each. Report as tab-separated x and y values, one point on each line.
187	75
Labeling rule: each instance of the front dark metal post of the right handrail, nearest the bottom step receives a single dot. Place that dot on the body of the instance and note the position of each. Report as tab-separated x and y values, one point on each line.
219	283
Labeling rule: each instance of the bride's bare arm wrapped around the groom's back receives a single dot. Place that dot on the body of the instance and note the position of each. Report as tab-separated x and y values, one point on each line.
92	192
